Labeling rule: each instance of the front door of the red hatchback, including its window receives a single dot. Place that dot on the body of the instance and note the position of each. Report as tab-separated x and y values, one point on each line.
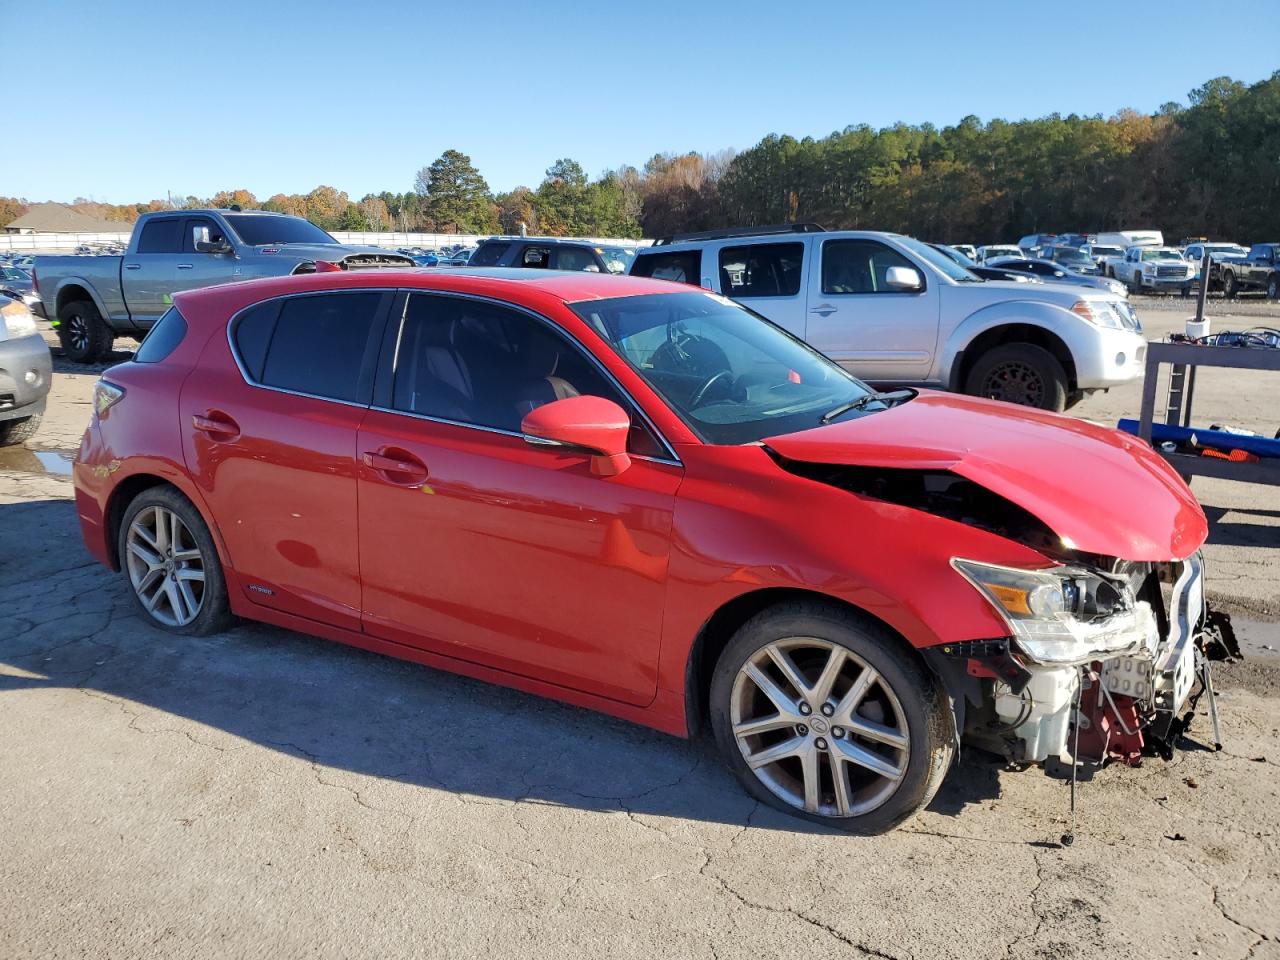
479	546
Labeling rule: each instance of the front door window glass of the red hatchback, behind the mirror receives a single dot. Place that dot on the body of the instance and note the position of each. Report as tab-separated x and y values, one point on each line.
486	365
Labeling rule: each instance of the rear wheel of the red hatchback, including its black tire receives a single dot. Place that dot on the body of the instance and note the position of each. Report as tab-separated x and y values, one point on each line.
170	559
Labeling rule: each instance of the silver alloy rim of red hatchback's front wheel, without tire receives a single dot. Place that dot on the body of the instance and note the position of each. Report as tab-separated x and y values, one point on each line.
820	728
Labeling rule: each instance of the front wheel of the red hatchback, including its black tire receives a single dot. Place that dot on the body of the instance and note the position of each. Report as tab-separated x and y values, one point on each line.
821	714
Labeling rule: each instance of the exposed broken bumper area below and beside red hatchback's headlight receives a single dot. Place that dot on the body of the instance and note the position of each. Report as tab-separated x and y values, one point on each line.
1133	702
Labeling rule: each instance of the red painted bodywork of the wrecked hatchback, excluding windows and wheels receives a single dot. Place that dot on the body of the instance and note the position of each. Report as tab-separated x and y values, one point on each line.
518	565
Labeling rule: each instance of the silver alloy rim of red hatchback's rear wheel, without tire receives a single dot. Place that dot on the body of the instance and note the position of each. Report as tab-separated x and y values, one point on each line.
166	566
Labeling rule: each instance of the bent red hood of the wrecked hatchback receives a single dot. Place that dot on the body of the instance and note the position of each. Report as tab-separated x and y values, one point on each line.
1101	491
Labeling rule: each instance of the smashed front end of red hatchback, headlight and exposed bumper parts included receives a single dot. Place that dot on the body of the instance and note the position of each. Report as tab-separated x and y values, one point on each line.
1099	665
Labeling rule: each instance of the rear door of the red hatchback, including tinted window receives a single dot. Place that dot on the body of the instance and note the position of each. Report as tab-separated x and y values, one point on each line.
269	420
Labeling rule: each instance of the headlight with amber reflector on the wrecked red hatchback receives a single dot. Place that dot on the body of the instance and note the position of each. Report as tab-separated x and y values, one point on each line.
1064	615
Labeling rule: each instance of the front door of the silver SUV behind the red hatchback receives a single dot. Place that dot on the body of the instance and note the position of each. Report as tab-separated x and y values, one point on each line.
879	332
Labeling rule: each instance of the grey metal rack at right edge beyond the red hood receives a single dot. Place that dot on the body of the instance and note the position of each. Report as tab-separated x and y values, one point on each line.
1185	359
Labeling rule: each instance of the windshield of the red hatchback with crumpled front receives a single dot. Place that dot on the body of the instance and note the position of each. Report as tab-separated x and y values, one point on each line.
726	372
